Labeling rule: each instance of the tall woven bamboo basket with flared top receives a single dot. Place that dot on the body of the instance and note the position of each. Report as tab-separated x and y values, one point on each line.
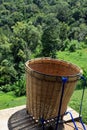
44	84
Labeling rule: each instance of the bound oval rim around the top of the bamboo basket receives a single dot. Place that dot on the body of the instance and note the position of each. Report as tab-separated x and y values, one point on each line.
50	75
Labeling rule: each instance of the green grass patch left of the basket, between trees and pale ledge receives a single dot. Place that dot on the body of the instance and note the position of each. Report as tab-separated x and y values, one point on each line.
8	100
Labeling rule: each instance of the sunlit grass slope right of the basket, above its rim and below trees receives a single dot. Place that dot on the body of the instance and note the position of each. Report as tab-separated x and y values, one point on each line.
79	57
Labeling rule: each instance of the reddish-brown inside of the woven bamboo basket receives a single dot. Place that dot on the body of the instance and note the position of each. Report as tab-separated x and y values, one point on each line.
54	67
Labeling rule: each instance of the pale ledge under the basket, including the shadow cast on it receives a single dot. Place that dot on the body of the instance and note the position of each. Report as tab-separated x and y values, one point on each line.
16	118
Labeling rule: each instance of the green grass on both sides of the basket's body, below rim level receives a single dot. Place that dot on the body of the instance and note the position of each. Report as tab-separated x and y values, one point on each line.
8	100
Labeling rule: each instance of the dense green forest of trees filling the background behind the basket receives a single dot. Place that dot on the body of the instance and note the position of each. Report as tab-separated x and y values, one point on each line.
38	28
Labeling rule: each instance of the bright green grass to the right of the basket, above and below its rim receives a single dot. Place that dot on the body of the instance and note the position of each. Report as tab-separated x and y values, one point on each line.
80	59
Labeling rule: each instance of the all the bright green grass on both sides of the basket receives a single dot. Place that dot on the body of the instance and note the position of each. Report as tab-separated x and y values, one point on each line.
79	58
